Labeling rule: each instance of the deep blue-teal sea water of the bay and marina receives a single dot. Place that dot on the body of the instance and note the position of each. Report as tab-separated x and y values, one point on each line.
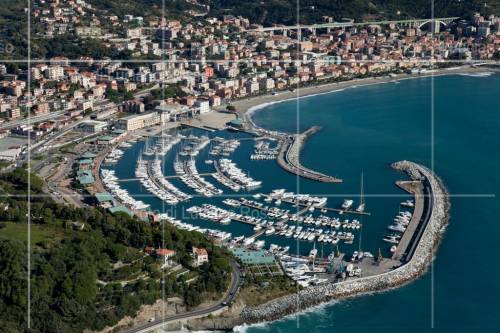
449	123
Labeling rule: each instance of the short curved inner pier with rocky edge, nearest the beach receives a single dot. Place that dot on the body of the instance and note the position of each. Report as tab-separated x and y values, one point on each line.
288	158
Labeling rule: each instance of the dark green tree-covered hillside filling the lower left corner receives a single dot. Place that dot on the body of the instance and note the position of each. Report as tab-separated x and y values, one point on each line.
89	278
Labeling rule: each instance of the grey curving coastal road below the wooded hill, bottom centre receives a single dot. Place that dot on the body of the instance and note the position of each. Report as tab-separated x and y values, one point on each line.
236	282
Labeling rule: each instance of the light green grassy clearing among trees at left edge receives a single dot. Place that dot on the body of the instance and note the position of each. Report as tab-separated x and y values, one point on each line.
19	231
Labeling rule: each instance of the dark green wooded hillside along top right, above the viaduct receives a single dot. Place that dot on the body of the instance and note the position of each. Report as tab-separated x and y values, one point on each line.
285	11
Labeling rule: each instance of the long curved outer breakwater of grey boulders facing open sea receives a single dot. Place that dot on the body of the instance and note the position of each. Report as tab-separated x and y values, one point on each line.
412	269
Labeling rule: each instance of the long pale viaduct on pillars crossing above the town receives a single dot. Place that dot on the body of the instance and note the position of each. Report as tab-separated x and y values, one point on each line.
436	22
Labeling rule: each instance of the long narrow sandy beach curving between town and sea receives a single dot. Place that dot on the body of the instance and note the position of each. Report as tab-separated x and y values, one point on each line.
245	107
